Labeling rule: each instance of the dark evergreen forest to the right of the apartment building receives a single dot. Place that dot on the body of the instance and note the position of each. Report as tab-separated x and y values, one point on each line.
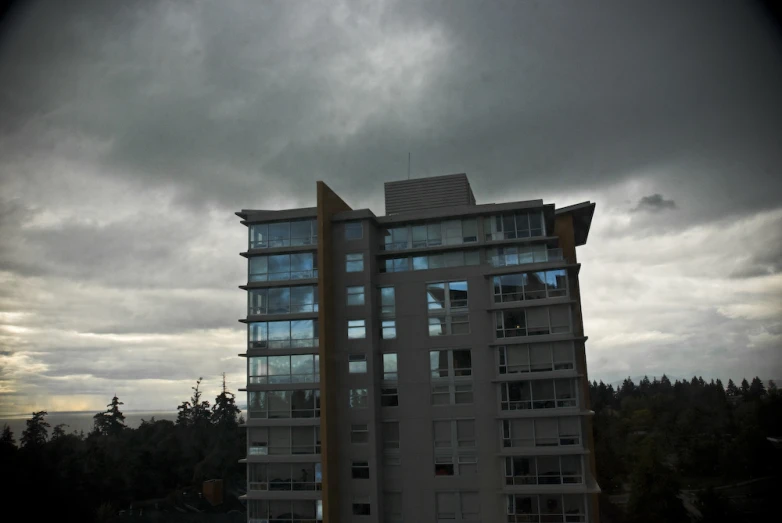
687	450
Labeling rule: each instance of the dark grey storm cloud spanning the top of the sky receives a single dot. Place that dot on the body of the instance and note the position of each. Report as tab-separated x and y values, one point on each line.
230	102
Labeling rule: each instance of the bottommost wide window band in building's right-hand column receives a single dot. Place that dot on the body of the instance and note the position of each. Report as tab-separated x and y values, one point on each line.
546	507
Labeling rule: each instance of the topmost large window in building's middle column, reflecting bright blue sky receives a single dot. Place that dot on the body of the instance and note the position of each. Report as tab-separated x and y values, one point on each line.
447	304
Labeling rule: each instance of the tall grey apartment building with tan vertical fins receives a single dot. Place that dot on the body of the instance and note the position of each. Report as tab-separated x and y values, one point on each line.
423	366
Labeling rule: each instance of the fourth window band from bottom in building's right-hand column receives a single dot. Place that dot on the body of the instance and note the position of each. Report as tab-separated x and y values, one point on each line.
538	394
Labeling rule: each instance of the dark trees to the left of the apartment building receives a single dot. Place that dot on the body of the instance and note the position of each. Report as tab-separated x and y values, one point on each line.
90	477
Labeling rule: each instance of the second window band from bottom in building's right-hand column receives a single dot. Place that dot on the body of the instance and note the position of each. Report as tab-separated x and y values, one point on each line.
543	470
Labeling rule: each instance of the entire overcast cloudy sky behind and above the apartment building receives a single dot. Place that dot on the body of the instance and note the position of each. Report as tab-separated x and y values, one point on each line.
130	132
